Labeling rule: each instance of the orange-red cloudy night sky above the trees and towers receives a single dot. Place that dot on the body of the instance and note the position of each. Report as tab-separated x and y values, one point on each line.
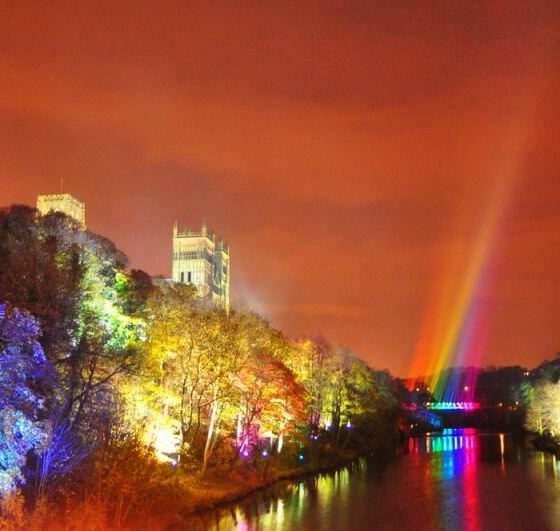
355	155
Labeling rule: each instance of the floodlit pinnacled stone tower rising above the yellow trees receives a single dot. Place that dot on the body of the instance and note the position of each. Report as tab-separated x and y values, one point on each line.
202	259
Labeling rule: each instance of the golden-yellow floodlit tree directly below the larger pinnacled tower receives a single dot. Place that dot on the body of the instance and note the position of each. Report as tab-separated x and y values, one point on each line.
193	353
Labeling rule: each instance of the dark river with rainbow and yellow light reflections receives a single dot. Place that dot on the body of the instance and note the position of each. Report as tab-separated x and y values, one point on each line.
455	480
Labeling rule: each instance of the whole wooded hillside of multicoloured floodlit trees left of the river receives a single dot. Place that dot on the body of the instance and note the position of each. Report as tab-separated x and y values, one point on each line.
115	387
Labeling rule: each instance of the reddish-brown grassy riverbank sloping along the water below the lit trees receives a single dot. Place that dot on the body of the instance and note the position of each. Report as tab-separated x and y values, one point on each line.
172	499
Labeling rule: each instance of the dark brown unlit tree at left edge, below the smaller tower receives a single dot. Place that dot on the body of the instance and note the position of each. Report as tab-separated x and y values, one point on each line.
41	271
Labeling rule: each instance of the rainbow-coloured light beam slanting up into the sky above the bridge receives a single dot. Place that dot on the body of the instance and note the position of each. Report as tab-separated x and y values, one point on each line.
453	332
